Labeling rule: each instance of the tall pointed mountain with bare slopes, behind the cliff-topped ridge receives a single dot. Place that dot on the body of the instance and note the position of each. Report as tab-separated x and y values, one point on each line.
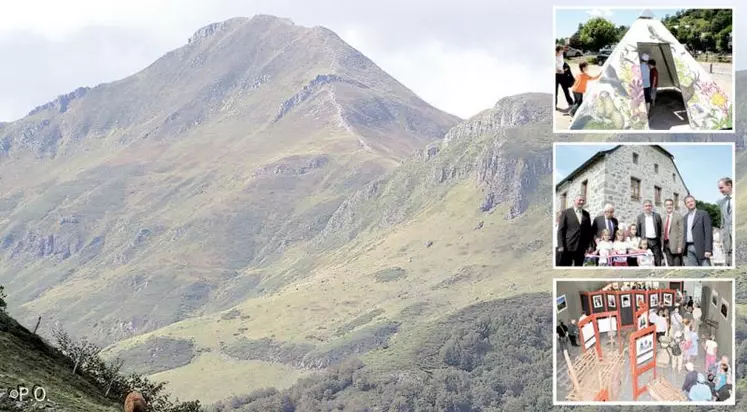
142	202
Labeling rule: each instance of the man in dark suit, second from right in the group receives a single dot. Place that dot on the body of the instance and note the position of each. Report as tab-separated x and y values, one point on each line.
698	240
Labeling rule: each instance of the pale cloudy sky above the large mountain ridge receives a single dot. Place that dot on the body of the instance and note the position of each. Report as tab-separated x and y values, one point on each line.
461	56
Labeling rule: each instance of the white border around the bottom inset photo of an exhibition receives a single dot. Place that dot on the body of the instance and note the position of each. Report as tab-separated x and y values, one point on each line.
556	402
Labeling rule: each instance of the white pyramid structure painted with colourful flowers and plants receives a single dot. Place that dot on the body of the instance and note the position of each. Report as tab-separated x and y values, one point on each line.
616	102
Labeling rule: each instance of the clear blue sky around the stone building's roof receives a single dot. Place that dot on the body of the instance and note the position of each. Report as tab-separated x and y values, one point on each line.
701	165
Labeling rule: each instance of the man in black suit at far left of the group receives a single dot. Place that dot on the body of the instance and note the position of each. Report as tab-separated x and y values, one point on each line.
574	234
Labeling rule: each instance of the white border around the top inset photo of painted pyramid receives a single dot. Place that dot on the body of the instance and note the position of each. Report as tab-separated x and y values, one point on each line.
733	96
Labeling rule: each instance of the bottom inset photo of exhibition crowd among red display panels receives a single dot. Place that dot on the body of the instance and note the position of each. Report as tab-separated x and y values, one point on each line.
644	341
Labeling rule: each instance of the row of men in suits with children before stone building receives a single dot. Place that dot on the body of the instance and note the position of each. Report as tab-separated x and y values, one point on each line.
673	239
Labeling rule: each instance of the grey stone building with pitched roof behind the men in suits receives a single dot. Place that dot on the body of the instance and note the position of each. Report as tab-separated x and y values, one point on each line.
624	176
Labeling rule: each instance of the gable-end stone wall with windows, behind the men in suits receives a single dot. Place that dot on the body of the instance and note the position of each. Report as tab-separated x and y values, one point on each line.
620	169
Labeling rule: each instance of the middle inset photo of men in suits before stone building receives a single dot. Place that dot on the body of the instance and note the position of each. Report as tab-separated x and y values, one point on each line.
643	205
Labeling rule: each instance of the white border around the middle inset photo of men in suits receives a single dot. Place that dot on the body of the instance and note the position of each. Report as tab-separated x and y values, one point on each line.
555	205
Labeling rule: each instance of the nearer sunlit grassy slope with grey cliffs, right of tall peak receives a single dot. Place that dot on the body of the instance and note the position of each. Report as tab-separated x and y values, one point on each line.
457	224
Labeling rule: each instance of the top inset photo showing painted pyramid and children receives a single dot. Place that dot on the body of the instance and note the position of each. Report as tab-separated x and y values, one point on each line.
627	70
